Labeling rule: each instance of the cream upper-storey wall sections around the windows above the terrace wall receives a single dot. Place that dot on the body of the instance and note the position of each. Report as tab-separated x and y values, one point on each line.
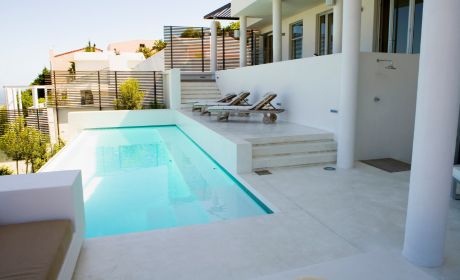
309	18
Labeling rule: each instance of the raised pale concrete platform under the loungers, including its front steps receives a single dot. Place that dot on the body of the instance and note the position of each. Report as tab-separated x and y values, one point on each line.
274	145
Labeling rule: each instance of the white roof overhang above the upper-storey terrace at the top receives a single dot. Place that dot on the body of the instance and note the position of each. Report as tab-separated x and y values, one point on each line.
261	10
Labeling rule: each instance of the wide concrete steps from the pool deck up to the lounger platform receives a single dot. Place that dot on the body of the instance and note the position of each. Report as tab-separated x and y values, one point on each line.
293	150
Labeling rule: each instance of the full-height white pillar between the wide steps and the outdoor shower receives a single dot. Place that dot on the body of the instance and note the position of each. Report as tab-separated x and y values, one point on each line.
349	84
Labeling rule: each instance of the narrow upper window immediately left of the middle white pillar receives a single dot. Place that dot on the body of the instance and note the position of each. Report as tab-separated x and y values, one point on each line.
324	32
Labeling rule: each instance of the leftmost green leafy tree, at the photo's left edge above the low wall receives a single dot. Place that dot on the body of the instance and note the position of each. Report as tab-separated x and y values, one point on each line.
14	141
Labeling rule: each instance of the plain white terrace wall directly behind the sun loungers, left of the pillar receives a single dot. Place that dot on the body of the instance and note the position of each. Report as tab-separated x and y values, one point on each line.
307	88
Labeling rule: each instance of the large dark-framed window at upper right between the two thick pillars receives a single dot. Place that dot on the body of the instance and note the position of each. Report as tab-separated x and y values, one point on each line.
400	26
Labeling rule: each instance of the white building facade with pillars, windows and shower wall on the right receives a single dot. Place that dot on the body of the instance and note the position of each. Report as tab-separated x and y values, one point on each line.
369	72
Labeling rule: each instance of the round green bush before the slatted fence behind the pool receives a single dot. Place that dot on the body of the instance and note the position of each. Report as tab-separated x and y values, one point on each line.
131	97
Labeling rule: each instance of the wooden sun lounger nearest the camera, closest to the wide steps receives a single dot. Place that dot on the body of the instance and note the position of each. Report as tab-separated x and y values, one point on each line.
262	107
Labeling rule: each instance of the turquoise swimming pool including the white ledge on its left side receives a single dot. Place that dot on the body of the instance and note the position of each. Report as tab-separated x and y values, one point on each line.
145	178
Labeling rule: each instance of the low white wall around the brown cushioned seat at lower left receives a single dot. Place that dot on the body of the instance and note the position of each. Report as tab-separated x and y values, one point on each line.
46	196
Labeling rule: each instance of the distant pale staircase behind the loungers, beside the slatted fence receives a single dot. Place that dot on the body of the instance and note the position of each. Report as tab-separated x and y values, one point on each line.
199	90
